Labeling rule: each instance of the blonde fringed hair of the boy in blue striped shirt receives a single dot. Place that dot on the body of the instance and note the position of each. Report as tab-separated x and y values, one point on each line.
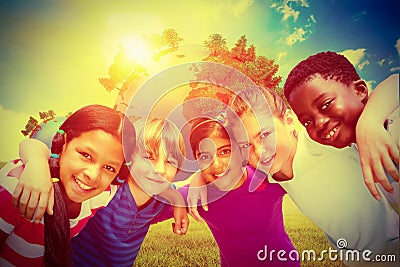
154	132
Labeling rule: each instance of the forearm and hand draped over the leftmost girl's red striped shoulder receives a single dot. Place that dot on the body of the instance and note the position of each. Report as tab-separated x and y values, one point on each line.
34	188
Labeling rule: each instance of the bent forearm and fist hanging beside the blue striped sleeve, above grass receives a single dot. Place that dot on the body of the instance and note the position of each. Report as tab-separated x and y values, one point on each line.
181	219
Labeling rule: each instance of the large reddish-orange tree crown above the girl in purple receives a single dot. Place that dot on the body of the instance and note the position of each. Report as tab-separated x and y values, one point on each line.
260	69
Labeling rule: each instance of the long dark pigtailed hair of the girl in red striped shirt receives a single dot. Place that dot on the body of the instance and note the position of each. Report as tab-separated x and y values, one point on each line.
58	250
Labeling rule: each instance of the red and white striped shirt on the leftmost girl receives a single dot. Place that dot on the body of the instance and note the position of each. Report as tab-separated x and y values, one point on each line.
24	240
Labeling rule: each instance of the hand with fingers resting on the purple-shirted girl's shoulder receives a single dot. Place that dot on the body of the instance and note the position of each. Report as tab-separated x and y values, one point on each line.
197	190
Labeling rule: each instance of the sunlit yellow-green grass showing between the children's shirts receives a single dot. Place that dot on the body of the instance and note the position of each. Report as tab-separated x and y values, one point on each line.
198	247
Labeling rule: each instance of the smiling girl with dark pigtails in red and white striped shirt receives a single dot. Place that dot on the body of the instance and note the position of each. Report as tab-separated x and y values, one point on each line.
86	156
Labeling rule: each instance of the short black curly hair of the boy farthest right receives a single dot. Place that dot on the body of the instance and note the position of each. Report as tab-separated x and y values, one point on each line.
329	65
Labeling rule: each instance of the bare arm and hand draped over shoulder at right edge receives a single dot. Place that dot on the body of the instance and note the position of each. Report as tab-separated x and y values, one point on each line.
376	148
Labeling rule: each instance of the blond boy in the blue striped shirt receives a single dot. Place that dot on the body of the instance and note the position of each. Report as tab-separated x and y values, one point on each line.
114	235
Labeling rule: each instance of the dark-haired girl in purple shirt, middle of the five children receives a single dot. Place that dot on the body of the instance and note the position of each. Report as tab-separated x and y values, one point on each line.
235	219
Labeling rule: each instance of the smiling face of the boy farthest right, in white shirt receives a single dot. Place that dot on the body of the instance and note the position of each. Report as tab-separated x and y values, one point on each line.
329	109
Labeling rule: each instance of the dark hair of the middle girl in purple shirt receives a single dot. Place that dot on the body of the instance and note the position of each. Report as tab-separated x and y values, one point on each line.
203	128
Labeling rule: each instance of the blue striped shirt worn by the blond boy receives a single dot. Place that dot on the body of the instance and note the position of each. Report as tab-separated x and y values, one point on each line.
114	235
